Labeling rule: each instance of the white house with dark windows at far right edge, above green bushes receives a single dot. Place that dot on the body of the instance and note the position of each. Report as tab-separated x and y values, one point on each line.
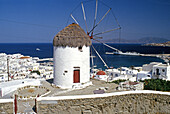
161	71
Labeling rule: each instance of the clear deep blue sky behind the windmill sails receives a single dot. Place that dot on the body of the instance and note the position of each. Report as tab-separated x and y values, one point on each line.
38	21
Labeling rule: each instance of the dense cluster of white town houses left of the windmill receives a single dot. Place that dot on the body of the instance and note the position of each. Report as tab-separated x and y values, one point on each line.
18	66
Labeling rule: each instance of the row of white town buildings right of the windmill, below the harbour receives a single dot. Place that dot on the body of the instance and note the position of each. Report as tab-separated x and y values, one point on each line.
154	70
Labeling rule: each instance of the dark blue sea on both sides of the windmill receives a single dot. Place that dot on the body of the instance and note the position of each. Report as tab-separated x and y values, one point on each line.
116	61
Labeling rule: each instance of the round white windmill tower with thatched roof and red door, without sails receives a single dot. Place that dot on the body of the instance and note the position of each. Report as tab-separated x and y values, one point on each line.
71	57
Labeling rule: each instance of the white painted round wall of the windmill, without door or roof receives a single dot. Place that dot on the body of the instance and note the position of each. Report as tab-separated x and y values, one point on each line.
65	59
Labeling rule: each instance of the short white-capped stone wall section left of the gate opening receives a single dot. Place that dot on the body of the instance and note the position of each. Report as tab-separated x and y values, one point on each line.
6	106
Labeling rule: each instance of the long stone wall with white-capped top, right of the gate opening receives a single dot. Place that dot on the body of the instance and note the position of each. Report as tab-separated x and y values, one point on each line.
129	103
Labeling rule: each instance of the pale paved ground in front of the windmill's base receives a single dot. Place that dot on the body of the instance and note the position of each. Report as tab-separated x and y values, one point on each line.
111	87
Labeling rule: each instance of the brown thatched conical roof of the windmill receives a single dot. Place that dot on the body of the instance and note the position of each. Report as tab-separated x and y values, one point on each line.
72	36
